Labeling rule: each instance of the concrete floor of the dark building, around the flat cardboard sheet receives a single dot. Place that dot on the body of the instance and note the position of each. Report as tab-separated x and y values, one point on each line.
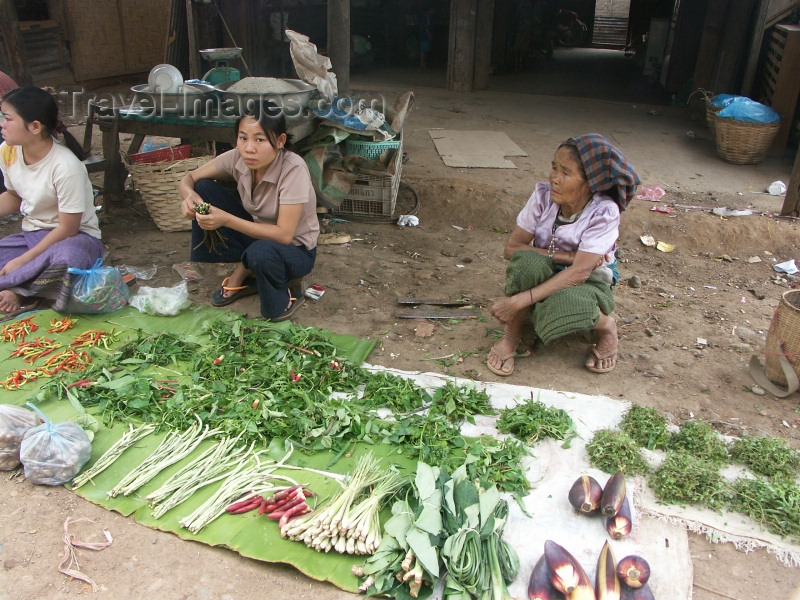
579	90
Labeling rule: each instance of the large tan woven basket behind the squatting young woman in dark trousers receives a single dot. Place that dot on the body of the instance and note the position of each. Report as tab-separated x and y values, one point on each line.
158	184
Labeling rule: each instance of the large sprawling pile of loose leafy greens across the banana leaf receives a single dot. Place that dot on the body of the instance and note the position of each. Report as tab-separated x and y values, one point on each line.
258	383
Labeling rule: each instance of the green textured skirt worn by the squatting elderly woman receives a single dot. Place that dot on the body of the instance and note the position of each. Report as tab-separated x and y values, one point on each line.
573	309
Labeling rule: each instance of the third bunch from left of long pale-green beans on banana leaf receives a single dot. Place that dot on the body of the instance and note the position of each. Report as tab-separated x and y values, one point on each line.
211	466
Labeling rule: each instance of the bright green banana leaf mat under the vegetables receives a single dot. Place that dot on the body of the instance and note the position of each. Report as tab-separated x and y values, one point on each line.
251	536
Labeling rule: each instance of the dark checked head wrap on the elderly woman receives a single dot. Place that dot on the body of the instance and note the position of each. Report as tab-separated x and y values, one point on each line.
607	170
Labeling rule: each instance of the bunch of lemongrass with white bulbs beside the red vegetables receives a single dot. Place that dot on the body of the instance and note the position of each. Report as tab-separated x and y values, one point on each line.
349	523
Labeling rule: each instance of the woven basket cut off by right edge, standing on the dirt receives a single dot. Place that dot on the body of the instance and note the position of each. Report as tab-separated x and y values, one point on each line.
783	338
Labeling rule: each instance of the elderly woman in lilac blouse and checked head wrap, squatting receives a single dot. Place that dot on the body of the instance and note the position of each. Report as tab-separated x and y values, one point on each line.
561	254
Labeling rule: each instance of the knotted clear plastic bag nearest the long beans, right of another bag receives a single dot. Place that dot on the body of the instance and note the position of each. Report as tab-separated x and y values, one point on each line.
53	453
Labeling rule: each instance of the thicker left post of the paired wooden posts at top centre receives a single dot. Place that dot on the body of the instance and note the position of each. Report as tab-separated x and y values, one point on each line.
461	46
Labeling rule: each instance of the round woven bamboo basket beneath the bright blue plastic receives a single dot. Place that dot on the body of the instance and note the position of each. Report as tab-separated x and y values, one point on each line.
743	143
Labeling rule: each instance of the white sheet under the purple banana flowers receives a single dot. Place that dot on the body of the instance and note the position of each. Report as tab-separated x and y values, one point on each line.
552	471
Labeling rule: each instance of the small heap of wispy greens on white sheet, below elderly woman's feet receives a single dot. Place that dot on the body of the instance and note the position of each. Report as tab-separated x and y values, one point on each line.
533	420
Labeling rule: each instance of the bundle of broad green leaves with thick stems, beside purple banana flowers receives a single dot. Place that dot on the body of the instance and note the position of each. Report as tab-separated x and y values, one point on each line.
448	526
